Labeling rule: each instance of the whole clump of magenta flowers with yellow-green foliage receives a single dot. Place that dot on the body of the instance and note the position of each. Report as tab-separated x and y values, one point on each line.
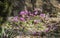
30	23
